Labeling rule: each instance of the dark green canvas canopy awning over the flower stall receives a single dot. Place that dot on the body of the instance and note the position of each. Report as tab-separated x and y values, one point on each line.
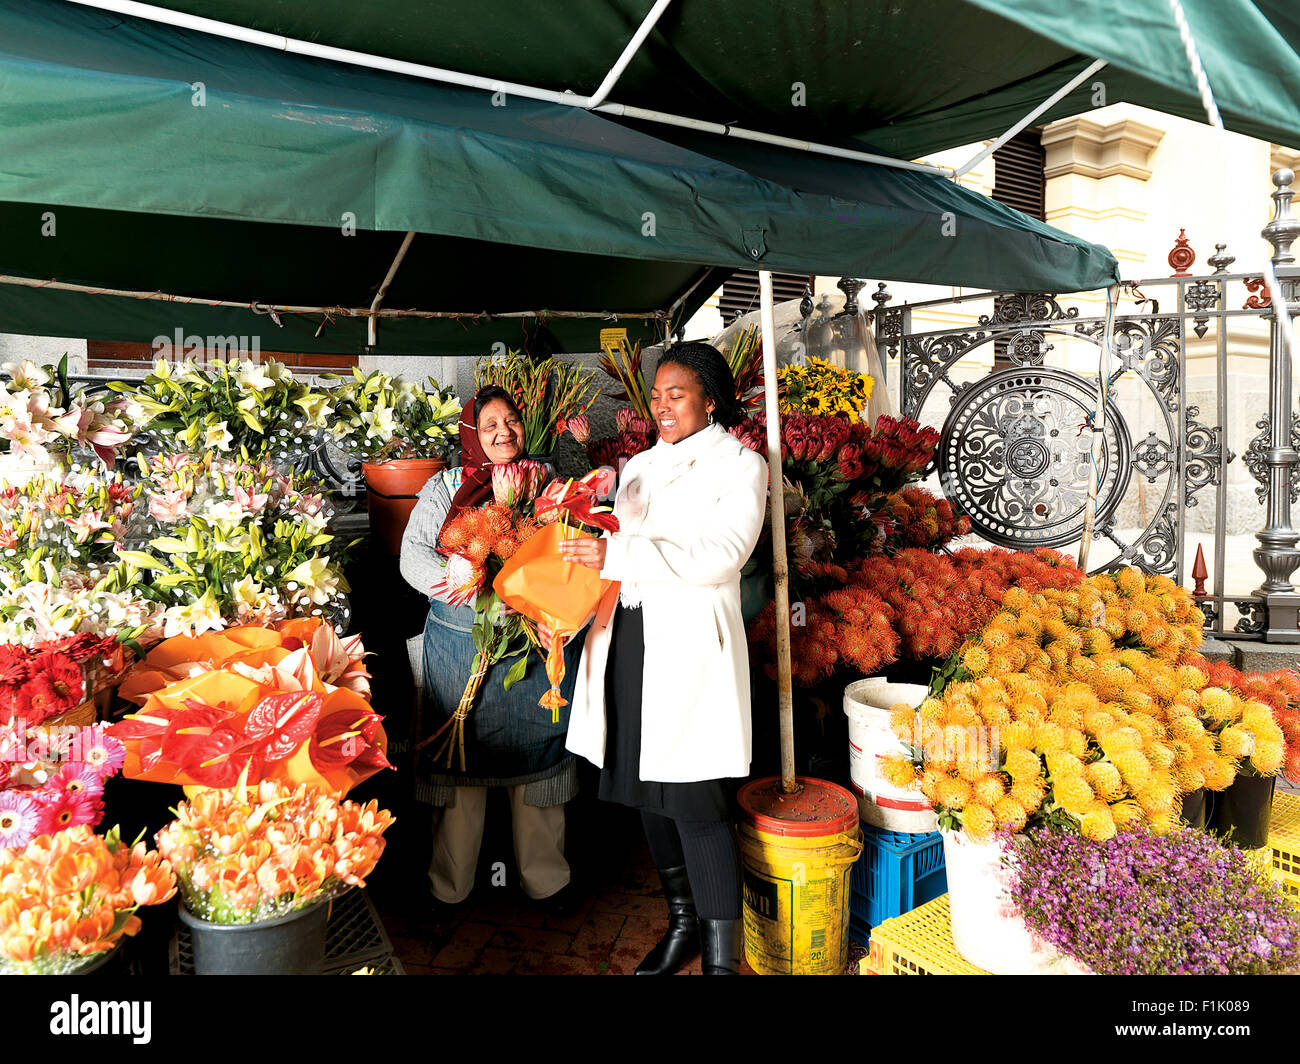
144	158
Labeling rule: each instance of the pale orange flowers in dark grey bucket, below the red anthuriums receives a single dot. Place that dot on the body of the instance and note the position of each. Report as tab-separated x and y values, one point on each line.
257	853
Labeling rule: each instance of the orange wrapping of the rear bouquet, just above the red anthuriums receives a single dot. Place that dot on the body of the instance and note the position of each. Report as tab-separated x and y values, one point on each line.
253	645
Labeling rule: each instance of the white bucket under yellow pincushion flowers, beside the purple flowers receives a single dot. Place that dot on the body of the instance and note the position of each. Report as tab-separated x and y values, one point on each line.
989	929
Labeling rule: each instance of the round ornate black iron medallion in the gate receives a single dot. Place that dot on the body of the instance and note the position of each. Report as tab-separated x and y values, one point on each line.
1016	452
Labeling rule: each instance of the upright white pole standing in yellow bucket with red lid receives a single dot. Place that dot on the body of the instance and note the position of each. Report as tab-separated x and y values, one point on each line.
781	564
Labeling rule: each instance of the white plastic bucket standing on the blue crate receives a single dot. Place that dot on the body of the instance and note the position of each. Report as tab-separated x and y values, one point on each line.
868	704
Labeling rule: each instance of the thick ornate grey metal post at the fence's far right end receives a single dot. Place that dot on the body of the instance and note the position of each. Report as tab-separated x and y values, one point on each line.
1277	553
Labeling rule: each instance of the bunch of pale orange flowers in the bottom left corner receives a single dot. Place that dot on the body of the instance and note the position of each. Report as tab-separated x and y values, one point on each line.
70	897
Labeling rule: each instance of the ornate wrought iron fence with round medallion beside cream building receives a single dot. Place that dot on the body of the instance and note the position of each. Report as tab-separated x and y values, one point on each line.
1021	388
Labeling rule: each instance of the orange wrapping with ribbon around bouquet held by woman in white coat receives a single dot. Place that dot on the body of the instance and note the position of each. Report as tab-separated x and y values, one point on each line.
561	595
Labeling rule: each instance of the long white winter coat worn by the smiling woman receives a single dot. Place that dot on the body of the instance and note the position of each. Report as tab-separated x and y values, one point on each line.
690	517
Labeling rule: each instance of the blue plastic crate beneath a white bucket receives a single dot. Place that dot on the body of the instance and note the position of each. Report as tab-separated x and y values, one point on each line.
895	875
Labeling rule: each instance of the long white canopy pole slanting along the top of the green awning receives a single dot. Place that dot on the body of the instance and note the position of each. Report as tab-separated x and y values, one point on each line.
281	44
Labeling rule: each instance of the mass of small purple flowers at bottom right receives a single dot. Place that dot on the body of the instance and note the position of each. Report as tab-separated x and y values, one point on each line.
1146	905
